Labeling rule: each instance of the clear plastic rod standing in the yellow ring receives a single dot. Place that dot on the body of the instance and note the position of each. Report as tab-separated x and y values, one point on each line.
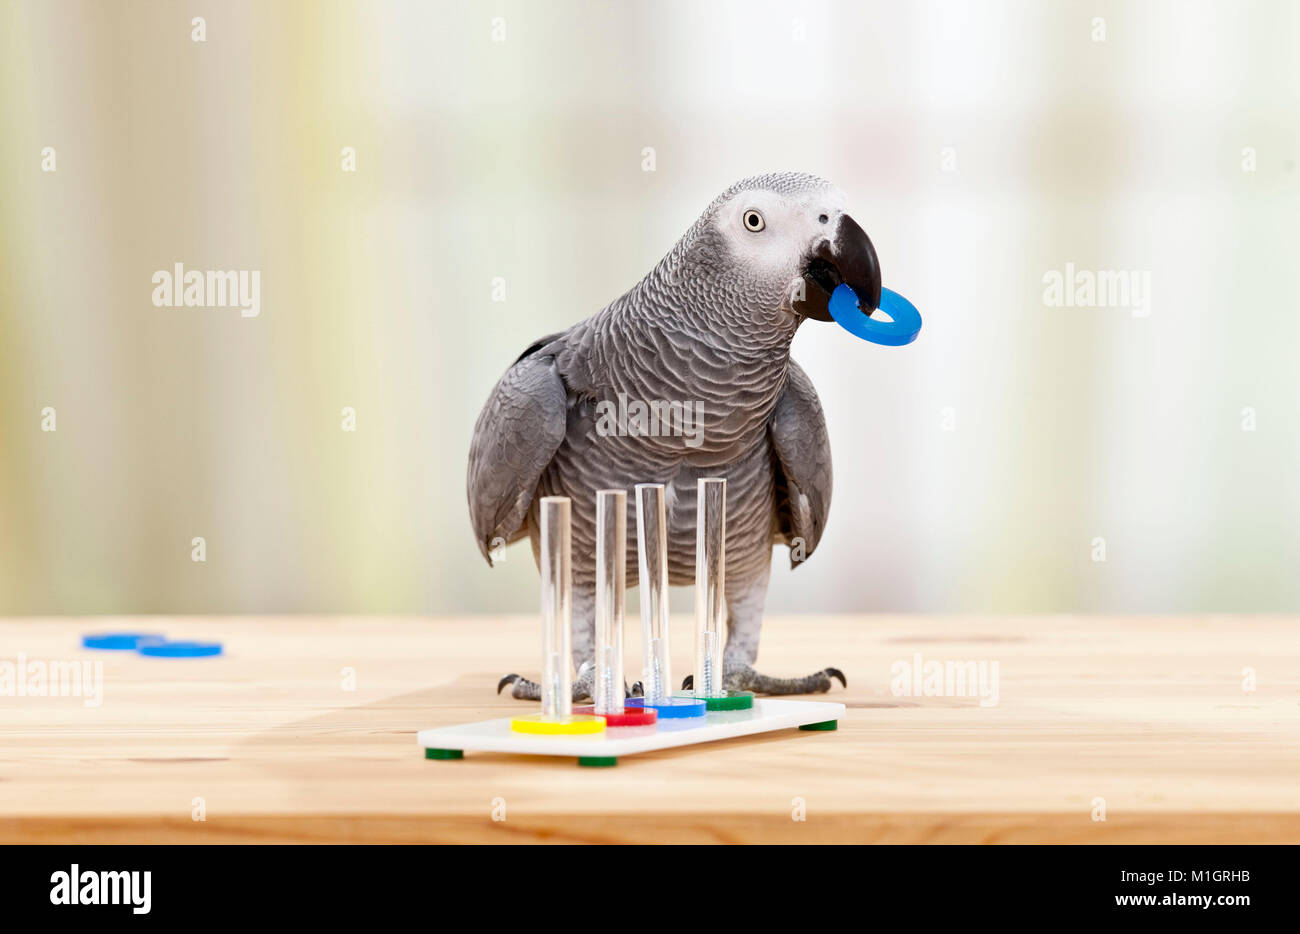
557	608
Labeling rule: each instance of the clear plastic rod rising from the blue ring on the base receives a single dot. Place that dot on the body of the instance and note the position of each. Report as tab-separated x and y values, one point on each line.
653	583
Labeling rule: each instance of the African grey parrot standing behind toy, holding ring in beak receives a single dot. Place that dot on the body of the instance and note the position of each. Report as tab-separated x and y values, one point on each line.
713	325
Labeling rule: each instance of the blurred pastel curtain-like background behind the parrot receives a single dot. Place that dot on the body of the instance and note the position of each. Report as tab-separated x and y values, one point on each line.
983	145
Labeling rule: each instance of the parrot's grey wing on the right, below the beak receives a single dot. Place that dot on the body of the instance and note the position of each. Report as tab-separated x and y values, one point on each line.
803	465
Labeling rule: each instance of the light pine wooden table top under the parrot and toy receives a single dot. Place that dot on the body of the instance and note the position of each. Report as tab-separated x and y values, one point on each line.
1149	716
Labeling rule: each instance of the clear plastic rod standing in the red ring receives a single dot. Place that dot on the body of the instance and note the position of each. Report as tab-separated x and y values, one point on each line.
612	581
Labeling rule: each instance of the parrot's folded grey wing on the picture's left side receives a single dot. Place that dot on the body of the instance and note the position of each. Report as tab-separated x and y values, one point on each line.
518	434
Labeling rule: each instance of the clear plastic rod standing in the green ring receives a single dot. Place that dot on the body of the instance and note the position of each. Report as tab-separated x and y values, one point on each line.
710	585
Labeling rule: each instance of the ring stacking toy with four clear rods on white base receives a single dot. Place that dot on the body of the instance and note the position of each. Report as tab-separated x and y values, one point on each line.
616	725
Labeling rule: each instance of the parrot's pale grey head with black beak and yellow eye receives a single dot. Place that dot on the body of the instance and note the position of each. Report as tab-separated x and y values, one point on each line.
783	244
